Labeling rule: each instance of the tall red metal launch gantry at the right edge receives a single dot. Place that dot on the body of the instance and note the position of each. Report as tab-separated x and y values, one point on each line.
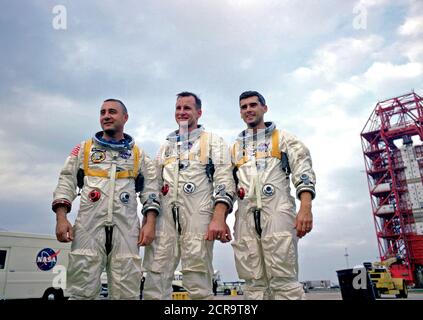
393	155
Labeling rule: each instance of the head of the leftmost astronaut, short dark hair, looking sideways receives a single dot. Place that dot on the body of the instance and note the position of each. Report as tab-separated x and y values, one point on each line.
112	117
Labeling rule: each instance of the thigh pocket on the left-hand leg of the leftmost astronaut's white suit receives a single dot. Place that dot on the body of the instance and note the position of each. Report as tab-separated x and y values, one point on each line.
84	270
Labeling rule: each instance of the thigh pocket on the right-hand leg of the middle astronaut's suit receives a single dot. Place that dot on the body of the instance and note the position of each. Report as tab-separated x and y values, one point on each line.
194	255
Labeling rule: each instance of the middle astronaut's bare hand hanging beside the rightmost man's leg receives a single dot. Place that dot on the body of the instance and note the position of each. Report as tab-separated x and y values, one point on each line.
218	228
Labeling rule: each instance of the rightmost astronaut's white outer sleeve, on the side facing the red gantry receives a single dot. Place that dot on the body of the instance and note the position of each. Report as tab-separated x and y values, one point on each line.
303	176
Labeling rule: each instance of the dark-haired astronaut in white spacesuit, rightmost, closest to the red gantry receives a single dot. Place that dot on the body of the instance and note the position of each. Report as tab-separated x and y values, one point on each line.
267	226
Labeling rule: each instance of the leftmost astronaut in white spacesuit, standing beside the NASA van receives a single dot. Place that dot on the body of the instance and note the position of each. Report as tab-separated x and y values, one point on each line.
108	170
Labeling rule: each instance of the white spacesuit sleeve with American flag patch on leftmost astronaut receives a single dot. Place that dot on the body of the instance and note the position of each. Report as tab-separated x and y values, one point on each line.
65	191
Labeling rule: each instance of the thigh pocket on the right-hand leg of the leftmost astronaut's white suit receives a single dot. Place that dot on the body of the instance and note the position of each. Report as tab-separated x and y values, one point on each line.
125	275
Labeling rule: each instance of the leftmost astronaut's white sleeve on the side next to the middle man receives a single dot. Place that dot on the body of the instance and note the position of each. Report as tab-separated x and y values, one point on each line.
149	196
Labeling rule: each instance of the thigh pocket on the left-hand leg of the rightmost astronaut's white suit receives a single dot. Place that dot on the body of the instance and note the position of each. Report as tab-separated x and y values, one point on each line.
247	258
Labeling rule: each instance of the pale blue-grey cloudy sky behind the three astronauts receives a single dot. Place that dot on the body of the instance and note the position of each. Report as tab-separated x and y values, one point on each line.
322	66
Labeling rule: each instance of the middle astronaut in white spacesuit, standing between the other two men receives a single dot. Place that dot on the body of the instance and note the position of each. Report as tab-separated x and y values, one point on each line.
192	165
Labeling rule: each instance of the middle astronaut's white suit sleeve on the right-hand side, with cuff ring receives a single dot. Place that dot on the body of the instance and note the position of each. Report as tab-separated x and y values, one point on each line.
223	178
